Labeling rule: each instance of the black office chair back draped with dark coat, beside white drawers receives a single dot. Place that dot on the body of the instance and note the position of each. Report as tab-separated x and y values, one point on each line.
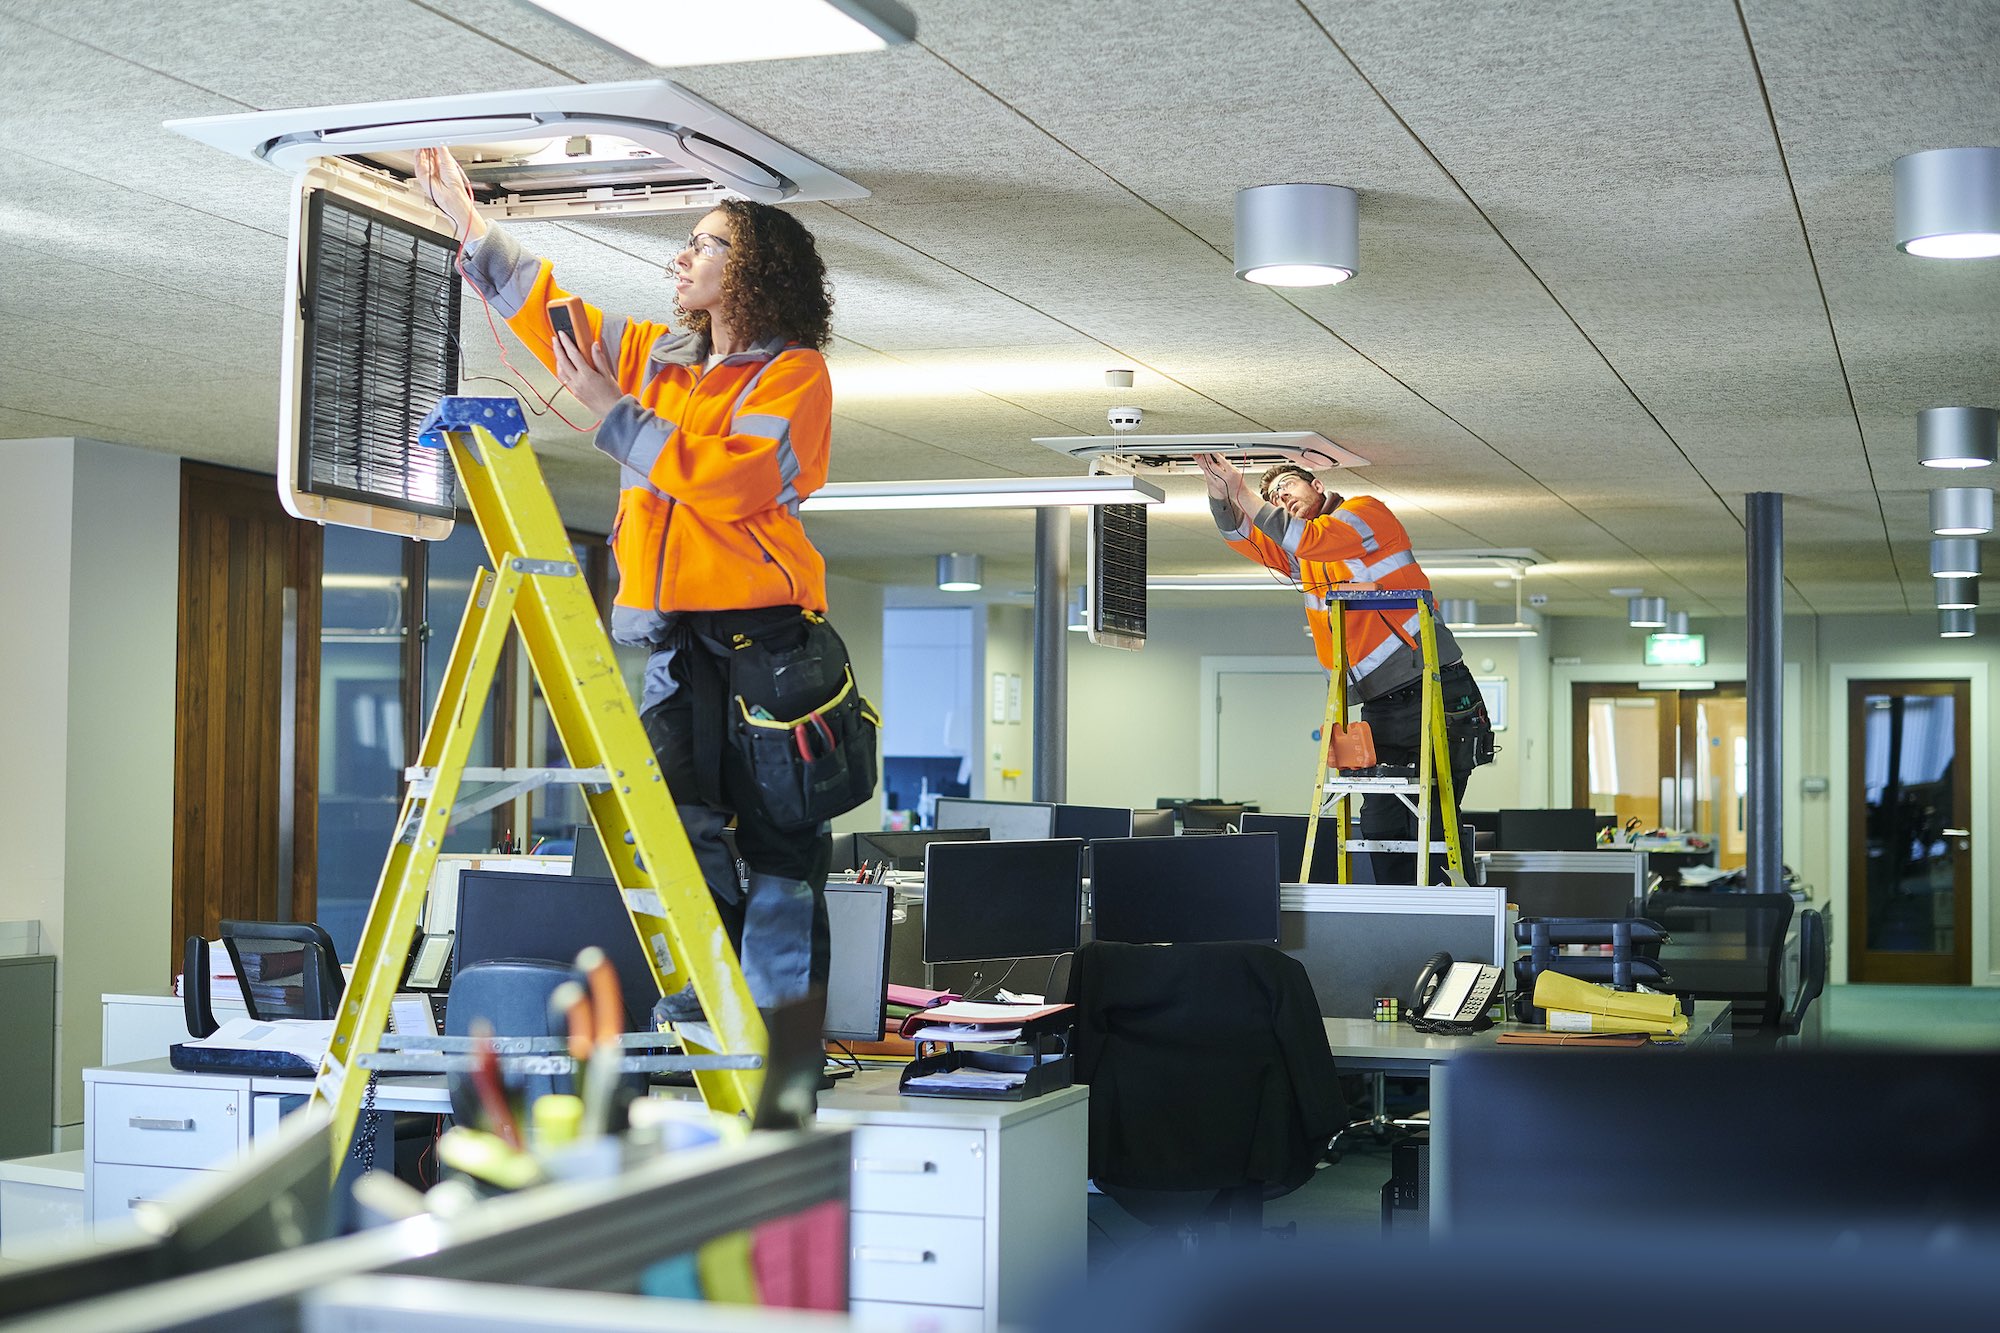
1211	1082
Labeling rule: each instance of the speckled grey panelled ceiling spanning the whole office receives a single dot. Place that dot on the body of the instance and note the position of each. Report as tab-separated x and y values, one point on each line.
1621	263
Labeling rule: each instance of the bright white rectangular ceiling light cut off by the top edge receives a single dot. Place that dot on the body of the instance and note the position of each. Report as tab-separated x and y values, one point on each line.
673	33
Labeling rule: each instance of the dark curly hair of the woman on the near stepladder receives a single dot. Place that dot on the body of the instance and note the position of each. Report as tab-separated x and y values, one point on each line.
773	283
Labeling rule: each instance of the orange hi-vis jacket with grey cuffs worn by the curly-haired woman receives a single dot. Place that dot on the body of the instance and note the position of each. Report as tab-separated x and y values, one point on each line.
713	459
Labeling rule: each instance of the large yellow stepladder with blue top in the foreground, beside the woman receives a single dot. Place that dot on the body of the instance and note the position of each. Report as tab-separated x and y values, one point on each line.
537	585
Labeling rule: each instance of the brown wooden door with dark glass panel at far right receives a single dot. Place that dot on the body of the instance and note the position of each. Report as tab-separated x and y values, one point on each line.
1911	832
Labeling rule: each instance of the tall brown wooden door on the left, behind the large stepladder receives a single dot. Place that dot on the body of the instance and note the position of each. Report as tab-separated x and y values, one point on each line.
247	706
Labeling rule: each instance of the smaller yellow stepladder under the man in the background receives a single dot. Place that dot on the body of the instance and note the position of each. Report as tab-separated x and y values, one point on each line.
1331	794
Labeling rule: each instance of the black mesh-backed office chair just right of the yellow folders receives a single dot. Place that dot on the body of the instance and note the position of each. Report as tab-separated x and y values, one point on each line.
1727	948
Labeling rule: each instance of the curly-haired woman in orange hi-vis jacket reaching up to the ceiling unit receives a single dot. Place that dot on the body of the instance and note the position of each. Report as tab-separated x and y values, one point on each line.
719	431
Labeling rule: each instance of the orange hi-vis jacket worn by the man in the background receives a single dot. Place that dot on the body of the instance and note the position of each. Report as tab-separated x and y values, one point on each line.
1359	541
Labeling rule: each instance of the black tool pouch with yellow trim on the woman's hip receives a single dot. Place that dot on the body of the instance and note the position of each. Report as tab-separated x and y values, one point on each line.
799	726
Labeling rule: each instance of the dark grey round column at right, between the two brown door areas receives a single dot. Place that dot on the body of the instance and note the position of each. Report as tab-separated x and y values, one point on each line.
1765	633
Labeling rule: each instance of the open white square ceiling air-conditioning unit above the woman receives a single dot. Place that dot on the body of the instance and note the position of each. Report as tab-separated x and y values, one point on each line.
547	153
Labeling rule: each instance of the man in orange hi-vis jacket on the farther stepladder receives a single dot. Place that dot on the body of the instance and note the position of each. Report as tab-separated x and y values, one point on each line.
1317	539
